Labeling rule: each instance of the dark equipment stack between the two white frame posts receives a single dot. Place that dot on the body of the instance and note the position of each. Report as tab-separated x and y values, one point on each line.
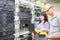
25	17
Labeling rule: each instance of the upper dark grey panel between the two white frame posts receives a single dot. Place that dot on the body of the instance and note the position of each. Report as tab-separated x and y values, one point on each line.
25	12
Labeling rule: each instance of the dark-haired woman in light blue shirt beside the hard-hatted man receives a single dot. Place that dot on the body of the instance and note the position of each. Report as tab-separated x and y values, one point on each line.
42	25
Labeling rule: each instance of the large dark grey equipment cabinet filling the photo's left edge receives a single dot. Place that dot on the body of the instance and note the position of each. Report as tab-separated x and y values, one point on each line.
7	28
